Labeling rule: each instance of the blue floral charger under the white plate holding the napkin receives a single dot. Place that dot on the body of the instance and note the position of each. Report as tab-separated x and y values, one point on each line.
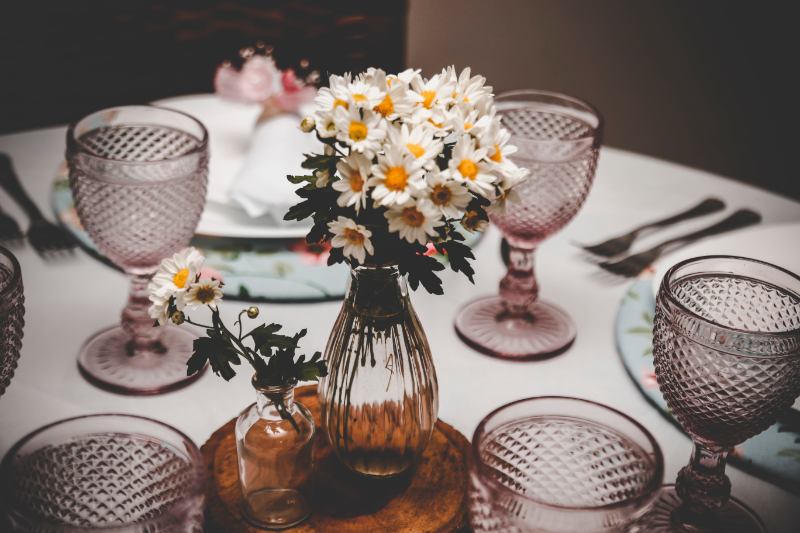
276	270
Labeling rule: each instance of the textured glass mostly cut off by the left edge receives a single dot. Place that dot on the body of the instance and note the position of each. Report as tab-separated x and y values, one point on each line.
12	313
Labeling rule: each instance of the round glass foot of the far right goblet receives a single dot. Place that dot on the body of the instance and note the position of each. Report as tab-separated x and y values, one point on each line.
735	517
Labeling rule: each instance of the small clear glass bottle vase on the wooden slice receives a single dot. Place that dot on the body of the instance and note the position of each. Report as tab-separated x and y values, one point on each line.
276	458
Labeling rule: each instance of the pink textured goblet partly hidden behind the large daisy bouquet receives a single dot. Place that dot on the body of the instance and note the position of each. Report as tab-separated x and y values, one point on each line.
558	139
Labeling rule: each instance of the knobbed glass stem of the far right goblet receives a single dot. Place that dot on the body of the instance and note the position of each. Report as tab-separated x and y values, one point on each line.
702	485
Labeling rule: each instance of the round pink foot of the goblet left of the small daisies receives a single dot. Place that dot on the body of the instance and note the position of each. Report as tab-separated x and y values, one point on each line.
110	361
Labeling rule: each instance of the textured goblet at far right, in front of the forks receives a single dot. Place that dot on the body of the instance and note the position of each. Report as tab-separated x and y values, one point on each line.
726	344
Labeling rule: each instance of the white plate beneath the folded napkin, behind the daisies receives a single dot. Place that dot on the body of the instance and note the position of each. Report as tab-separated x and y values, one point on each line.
230	127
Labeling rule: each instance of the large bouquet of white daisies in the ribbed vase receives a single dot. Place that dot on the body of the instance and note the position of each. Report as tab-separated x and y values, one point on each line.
405	159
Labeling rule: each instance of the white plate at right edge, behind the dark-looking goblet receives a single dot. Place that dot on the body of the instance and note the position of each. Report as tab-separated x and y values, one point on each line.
778	245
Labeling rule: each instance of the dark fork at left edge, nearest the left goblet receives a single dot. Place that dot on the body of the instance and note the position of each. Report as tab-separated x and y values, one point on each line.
43	235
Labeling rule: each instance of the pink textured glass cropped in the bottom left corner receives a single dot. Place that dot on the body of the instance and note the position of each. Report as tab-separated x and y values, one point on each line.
112	473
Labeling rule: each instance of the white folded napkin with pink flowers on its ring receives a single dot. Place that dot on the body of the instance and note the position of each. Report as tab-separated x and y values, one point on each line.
276	150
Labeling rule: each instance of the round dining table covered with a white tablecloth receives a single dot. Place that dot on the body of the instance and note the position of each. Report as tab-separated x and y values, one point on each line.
70	296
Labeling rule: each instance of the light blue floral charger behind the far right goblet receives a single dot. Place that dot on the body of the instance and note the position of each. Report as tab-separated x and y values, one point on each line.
773	455
